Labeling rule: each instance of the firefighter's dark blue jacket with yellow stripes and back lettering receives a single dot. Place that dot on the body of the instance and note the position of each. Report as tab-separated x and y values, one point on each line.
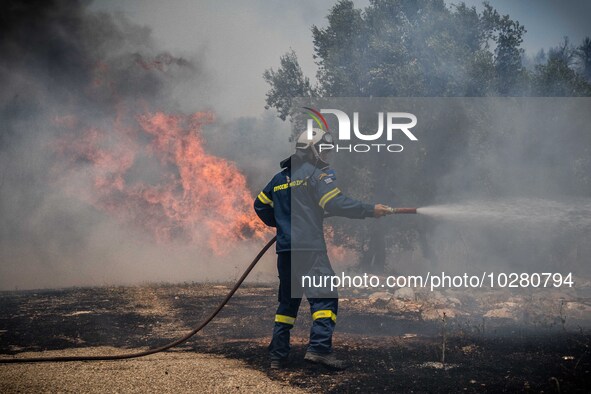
295	202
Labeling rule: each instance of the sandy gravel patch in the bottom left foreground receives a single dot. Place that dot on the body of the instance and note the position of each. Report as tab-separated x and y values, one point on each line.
170	372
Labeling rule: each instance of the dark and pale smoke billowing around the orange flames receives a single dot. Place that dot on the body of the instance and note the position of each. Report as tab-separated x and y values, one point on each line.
66	71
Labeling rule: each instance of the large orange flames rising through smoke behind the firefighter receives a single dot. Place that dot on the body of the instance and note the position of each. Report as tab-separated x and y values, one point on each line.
199	198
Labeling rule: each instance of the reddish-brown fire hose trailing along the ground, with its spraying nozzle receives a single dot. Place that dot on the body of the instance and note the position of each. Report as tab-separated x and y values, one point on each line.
178	341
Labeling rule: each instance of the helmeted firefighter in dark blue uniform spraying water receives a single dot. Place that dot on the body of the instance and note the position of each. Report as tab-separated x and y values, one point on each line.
296	201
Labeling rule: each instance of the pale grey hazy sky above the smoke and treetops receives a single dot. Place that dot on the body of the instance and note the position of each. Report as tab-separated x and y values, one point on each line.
240	39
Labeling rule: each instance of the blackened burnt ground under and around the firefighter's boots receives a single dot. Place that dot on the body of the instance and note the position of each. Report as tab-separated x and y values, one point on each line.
495	341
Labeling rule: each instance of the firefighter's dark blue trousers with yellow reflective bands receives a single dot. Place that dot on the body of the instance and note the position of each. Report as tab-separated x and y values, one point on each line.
323	303
